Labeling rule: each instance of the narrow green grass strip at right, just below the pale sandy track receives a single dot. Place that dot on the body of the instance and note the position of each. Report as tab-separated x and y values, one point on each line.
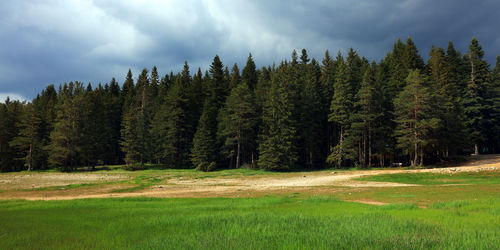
438	178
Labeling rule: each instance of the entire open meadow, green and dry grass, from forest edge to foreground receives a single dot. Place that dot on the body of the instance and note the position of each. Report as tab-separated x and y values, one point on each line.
459	210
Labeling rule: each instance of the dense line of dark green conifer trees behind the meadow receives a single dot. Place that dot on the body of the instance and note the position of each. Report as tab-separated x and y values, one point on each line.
301	114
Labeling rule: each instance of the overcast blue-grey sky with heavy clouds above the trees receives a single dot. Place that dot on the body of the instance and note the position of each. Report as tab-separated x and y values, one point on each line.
55	41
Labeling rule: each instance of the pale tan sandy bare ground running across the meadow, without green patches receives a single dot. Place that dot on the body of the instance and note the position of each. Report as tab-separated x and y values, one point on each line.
321	182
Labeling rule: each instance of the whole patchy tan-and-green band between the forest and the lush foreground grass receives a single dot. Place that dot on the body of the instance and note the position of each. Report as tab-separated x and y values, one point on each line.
363	186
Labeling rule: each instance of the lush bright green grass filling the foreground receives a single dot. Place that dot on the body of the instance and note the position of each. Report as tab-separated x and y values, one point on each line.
249	223
